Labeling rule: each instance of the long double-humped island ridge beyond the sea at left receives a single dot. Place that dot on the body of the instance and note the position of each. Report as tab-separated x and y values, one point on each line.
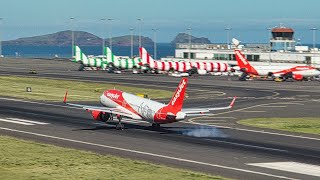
63	38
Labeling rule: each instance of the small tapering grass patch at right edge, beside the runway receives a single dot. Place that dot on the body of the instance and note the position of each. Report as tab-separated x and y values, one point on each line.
302	125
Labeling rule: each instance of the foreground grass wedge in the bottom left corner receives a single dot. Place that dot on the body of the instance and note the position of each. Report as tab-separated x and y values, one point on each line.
20	159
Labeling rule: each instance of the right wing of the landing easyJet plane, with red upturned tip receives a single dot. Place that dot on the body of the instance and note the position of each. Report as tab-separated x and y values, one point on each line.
203	111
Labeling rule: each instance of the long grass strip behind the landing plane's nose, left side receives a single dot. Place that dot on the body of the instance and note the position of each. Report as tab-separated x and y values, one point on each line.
54	90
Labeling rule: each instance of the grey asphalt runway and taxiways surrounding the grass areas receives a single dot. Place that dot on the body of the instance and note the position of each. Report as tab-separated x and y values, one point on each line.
215	144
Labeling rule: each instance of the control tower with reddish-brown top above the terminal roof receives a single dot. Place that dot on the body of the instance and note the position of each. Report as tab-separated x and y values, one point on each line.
282	39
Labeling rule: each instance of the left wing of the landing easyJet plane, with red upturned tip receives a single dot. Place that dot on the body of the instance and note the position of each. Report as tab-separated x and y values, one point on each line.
98	108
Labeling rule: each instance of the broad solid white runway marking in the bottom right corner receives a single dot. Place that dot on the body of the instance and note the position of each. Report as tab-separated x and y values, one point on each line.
294	167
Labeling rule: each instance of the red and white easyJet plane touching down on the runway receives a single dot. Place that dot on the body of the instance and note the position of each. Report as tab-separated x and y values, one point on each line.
122	104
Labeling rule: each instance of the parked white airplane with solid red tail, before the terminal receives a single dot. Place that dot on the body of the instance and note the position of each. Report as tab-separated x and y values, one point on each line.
283	72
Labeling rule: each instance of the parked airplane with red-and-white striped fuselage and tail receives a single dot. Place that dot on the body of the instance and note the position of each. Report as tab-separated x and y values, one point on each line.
200	66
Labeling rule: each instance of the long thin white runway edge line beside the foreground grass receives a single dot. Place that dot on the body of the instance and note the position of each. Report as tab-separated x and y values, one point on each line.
146	153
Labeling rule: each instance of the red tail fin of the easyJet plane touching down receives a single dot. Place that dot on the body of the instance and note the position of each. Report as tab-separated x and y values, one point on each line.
177	99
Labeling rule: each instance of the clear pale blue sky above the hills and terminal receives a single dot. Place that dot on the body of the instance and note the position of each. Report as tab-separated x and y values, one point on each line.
248	19
